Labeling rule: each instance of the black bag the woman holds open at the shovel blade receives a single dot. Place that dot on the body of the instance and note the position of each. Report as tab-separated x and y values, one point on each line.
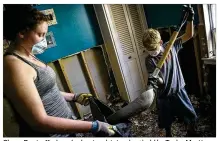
101	111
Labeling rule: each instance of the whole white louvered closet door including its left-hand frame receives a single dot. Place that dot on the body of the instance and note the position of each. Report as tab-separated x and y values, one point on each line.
122	28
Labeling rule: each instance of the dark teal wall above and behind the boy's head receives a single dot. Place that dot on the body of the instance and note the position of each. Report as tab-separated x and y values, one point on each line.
163	15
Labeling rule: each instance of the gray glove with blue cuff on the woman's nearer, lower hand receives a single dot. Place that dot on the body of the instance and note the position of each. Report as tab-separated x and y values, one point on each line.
102	129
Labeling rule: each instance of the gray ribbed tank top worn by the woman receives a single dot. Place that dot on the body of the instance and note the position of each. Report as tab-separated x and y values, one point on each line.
54	103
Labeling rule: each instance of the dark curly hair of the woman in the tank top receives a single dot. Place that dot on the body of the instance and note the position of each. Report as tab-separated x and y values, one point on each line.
20	17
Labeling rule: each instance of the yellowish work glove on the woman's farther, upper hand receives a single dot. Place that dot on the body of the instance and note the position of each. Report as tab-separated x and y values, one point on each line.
82	98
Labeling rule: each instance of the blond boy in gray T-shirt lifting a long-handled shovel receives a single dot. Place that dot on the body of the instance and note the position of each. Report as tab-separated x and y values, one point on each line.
172	99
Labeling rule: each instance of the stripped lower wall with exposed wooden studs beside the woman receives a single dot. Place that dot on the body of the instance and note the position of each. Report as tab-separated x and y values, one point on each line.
77	78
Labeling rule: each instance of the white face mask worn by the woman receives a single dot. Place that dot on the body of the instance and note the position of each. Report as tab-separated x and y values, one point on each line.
40	47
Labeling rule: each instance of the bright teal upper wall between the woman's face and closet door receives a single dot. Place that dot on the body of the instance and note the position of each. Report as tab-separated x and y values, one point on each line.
77	30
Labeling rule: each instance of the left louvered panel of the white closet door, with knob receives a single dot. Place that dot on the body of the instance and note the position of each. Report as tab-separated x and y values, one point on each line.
132	68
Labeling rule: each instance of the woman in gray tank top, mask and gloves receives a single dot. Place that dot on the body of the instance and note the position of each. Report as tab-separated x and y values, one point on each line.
30	85
